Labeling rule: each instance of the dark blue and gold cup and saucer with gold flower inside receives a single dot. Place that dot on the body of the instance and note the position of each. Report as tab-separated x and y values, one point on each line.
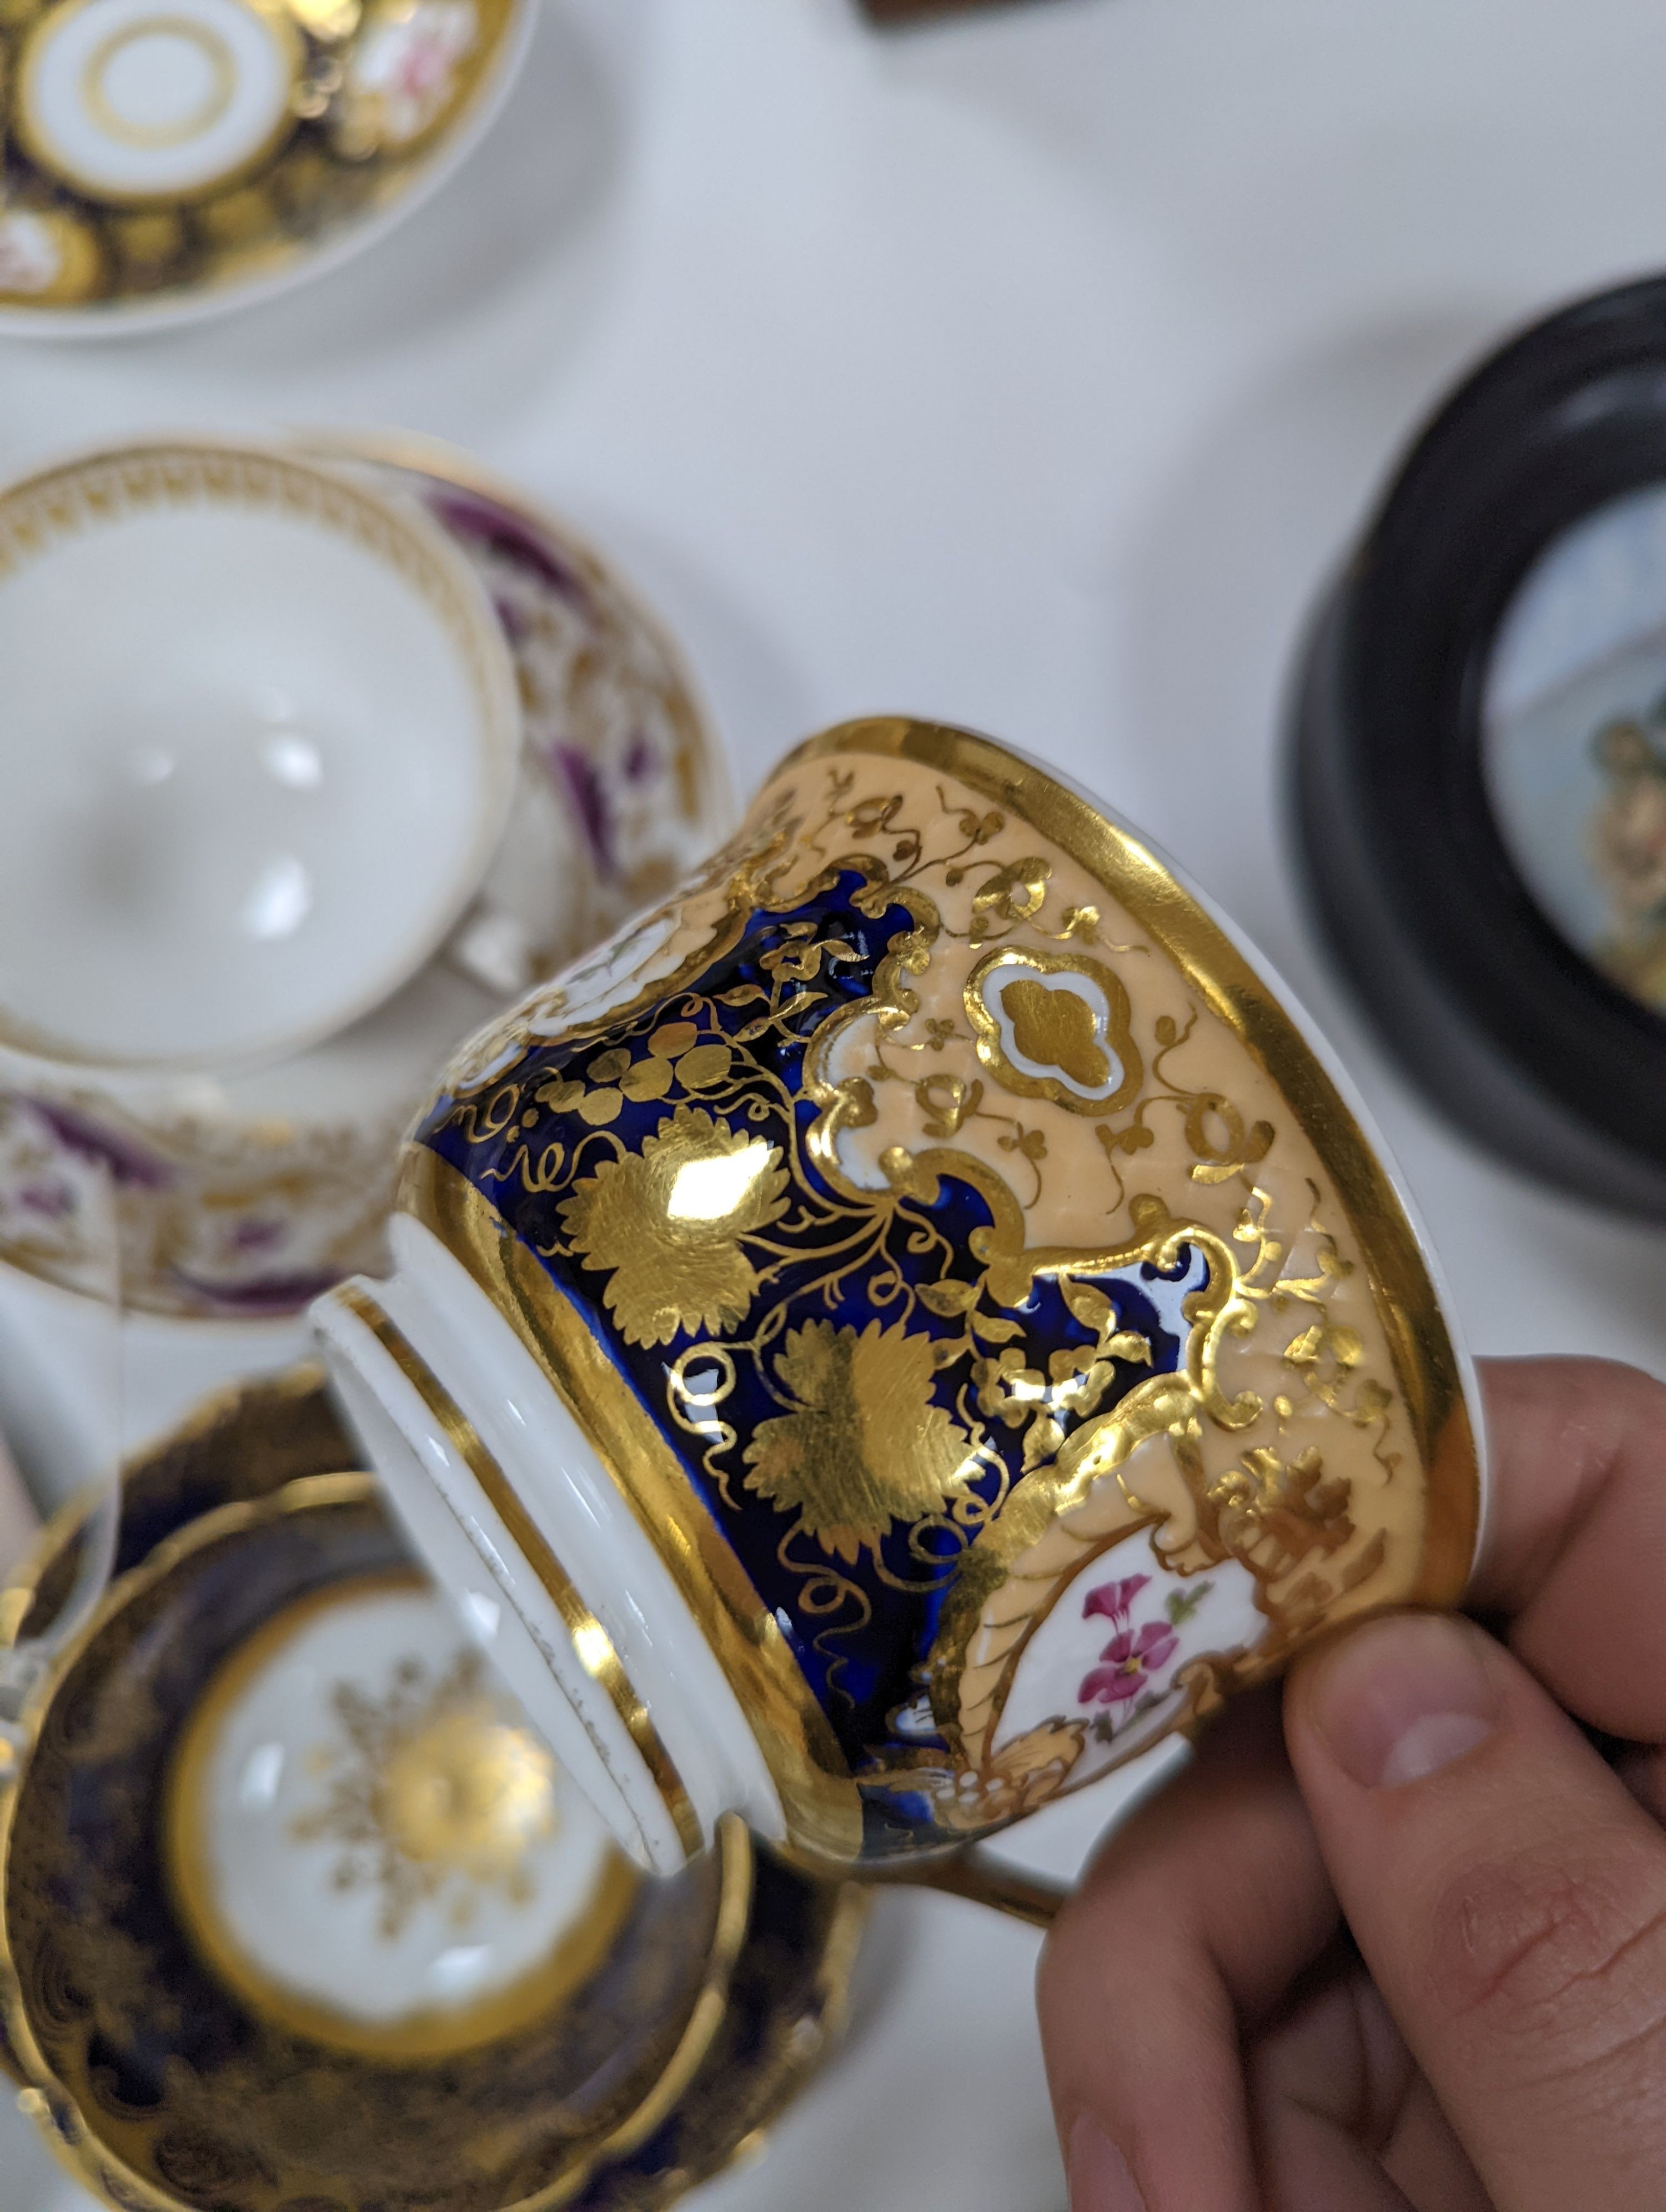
351	1928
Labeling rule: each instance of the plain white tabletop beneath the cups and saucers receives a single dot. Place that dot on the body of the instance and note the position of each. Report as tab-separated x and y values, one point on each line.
1025	371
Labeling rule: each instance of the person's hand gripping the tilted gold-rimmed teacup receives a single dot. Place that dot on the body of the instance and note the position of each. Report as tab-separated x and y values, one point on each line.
1410	1948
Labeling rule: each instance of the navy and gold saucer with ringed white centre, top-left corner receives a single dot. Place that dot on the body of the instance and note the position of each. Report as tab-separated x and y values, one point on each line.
176	158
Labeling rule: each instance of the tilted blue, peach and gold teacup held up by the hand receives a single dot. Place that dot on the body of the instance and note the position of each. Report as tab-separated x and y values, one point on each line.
908	1326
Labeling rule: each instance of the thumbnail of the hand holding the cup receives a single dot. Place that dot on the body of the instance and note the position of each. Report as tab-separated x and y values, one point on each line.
1402	1700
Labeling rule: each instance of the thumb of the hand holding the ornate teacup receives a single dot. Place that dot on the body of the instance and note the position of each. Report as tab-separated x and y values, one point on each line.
1510	1901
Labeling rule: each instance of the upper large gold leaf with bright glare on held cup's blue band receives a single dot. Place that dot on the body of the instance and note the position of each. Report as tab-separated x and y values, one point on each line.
667	1222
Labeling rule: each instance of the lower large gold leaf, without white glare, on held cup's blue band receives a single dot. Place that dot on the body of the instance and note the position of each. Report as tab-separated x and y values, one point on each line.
866	1446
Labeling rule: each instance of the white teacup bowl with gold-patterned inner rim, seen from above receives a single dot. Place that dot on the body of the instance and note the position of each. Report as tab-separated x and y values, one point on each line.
260	751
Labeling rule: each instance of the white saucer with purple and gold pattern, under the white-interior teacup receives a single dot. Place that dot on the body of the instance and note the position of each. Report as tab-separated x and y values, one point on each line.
260	1196
